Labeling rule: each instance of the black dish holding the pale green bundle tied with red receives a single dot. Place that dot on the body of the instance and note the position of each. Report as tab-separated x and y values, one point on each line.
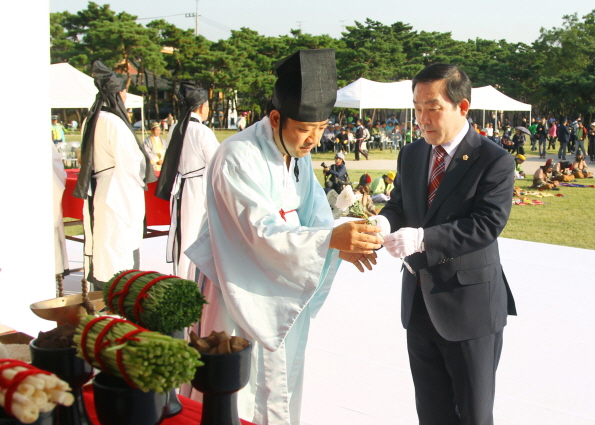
117	403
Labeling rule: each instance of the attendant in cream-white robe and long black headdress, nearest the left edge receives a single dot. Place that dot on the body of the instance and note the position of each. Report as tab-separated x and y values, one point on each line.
115	169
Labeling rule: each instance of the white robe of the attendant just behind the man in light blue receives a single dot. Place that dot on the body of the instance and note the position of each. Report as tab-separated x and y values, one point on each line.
200	143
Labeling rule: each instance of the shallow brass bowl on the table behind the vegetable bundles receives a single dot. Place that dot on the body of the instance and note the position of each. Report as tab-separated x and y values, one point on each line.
67	309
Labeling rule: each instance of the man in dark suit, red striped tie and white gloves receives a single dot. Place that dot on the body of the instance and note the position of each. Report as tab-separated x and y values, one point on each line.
451	200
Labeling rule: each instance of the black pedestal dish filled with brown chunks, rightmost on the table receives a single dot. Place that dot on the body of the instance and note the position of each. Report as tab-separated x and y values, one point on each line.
219	379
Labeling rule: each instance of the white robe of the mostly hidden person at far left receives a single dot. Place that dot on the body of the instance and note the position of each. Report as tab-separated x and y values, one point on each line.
59	184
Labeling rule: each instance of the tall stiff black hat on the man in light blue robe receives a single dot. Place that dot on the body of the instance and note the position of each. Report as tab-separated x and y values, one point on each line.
306	87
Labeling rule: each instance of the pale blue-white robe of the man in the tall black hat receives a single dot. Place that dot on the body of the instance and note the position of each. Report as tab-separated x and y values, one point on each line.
265	277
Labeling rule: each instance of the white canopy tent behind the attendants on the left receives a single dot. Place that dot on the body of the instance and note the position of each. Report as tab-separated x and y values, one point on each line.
71	88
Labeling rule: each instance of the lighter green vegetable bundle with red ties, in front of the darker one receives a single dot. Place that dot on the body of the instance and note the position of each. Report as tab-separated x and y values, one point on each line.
144	359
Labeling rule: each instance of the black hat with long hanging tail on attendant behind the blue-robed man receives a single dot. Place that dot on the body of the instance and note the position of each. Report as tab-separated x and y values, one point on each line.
190	96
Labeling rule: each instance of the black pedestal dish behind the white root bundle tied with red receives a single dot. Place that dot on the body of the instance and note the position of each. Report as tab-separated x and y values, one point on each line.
64	363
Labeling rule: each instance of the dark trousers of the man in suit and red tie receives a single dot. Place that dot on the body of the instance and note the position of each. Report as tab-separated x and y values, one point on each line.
454	380
